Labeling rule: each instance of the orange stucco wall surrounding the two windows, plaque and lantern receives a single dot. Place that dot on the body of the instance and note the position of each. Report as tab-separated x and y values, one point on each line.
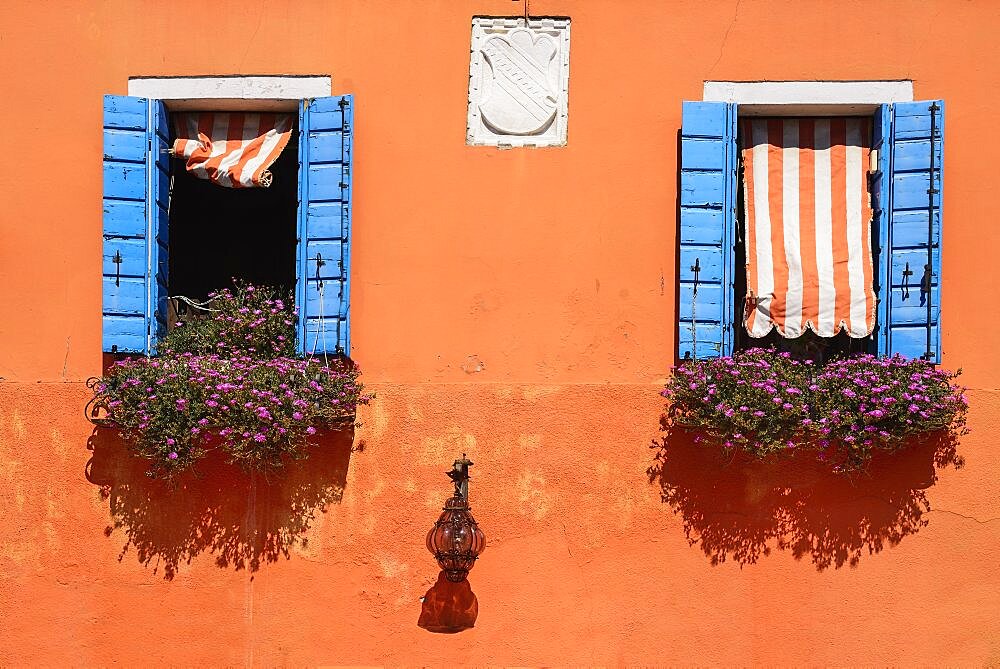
552	267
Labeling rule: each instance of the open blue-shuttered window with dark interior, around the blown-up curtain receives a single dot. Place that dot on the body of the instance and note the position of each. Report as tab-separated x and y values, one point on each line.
166	233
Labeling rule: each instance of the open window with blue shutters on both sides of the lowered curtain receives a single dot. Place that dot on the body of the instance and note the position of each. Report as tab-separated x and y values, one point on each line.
904	185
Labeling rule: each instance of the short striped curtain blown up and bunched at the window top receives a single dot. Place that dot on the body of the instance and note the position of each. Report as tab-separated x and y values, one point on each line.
231	149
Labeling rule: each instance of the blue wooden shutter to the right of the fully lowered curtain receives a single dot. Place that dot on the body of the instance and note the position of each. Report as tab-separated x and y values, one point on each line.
910	257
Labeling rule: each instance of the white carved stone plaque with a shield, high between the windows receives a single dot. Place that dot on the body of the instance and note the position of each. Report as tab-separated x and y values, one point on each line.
518	82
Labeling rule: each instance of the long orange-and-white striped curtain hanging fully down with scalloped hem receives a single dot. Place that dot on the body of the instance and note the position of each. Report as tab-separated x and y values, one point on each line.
808	226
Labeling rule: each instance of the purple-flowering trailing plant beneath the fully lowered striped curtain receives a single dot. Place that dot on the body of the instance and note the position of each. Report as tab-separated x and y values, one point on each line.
763	402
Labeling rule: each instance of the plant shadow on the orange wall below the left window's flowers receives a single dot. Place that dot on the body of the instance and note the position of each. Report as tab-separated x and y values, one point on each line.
242	519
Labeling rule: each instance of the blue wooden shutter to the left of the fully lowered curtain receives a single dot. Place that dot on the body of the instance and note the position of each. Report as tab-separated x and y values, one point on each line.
707	226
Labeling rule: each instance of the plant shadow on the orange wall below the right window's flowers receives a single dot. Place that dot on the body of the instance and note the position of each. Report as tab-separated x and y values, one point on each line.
742	509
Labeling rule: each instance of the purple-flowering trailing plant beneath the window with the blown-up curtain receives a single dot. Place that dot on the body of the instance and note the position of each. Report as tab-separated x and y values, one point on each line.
230	381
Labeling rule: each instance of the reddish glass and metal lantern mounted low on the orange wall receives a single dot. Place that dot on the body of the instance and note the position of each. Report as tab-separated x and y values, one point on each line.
456	540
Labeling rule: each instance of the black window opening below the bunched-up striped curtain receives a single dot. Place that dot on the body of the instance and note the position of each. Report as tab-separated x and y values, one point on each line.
218	235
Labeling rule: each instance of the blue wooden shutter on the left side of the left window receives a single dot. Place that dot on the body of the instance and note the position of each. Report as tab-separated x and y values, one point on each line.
136	191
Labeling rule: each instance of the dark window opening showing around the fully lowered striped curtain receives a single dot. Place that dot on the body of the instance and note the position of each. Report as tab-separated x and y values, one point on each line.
809	346
